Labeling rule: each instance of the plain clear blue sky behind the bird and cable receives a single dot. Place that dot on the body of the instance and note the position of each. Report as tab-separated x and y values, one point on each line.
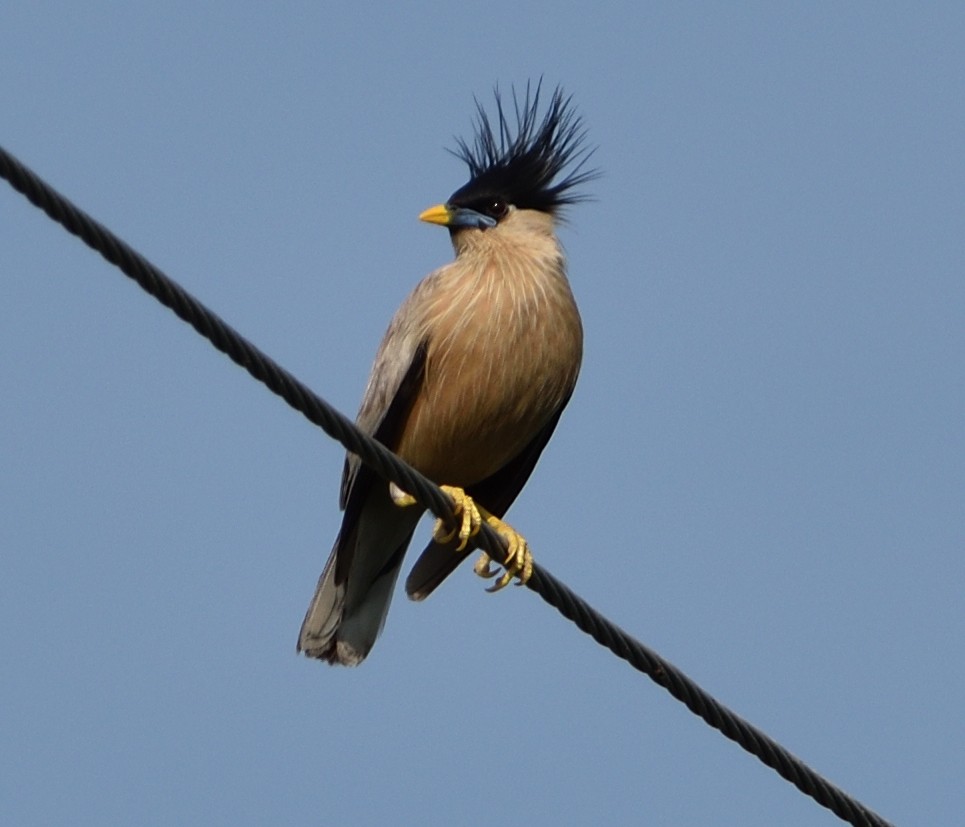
761	474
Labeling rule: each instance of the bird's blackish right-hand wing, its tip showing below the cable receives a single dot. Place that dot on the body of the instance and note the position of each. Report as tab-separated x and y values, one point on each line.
496	493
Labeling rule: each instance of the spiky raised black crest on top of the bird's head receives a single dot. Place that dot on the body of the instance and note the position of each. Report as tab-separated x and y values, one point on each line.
521	164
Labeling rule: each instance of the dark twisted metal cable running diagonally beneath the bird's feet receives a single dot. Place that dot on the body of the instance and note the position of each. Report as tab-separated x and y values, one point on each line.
390	467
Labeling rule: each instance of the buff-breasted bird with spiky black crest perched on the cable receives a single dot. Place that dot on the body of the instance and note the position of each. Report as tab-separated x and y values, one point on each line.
471	376
